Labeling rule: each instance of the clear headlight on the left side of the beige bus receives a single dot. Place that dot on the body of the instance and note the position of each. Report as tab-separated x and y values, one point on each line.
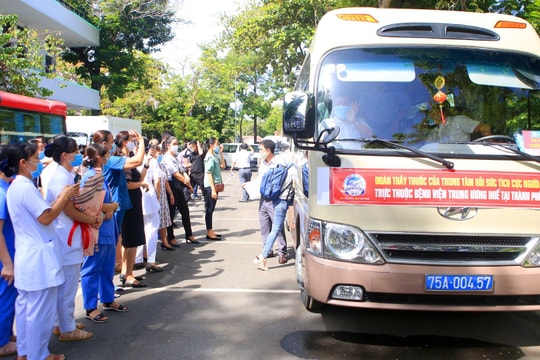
348	243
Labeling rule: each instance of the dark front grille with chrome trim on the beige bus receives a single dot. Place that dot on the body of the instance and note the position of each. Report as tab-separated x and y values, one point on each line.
453	249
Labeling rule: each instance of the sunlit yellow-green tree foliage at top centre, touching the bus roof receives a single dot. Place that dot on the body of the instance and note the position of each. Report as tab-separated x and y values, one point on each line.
277	33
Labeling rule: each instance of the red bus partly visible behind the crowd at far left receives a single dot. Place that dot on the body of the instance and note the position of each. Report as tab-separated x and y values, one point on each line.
23	118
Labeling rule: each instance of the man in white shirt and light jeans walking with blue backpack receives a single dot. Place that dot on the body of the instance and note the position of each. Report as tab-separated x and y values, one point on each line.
272	212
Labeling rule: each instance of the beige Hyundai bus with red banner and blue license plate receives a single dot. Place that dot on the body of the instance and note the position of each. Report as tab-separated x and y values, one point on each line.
417	138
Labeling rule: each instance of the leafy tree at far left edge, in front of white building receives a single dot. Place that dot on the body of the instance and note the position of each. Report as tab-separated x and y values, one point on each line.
21	58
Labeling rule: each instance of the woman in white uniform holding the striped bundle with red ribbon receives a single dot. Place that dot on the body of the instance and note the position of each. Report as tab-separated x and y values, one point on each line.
64	151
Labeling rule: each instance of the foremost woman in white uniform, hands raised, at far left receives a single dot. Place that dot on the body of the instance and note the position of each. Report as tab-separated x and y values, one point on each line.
37	264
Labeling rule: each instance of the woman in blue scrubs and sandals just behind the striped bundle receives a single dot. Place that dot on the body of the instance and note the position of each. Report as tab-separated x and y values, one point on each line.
97	271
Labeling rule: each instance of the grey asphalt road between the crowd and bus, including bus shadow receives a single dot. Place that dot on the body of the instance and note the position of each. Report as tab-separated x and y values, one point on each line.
211	302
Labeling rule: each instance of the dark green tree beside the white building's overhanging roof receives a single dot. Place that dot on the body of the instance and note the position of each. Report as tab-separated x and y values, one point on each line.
126	26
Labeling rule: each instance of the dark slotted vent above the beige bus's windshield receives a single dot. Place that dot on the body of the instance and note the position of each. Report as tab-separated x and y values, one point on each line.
437	31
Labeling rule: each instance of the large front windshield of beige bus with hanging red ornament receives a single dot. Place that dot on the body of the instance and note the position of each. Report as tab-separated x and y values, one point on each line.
436	99
